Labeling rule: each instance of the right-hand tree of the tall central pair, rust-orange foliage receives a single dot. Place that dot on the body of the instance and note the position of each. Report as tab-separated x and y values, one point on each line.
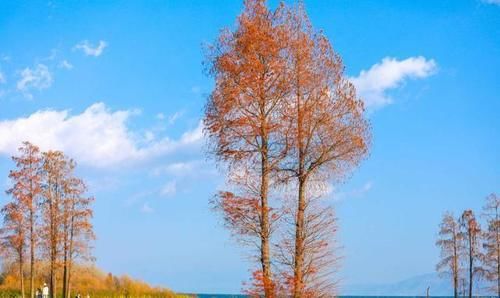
326	127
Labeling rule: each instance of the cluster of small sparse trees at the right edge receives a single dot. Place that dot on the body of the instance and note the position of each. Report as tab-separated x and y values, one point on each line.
470	252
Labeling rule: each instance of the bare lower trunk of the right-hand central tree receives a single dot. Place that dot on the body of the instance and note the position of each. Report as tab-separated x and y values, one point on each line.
299	241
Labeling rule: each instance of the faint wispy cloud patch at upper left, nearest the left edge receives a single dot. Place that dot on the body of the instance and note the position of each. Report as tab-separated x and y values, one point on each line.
38	78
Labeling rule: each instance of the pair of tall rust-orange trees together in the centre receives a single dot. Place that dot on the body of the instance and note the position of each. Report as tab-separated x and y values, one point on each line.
283	122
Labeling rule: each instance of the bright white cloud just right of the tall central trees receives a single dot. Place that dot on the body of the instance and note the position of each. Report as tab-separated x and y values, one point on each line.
372	84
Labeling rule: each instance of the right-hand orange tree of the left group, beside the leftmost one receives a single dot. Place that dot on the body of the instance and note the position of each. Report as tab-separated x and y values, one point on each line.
67	213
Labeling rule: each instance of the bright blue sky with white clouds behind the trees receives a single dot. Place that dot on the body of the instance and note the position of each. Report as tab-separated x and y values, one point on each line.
120	87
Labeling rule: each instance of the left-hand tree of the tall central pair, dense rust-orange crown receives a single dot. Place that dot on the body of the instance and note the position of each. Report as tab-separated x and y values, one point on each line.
242	116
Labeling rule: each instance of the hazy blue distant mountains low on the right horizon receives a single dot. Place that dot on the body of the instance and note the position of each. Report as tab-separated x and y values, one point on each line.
414	286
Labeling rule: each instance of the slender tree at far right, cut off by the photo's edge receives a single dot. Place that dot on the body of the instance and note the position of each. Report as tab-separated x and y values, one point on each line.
491	244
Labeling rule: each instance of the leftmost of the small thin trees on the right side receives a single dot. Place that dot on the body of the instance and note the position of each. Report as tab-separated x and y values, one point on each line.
452	250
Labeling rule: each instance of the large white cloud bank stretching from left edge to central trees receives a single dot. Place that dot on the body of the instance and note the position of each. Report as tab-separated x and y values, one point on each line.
97	137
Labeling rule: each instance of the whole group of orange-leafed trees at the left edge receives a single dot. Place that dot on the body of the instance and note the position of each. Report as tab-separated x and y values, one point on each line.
47	218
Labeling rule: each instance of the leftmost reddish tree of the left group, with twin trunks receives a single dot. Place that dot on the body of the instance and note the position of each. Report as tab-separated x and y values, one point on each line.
20	216
